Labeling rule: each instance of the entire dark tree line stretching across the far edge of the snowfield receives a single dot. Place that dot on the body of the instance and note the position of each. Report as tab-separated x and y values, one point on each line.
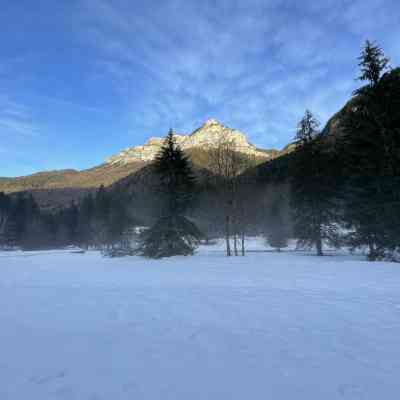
340	190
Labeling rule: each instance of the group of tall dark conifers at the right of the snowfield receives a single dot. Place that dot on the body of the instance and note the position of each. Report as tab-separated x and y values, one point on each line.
348	192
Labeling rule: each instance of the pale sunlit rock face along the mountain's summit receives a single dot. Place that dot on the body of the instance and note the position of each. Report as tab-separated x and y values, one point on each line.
209	135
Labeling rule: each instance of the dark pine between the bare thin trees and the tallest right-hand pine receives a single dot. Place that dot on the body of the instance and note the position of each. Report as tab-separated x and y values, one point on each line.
312	188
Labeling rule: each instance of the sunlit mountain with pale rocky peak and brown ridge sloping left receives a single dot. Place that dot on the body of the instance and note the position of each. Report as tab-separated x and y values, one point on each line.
55	188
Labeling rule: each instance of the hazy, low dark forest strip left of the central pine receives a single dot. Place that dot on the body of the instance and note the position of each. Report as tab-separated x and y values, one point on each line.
99	220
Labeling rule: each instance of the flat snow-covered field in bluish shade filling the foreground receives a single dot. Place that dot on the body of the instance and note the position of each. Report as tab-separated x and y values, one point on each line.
266	326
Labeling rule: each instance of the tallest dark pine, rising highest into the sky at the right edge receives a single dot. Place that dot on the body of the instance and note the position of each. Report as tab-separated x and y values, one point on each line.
370	152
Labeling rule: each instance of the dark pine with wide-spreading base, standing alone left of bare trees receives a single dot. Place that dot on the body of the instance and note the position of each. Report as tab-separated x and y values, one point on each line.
172	234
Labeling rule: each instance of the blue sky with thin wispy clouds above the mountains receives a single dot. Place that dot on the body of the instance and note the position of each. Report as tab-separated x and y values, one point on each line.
82	79
